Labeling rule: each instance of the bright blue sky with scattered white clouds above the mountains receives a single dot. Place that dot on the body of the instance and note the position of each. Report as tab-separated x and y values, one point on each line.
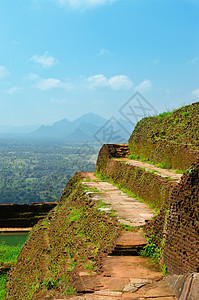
63	58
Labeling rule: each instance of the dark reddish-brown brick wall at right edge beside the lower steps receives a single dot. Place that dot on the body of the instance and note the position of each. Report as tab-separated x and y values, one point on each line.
176	228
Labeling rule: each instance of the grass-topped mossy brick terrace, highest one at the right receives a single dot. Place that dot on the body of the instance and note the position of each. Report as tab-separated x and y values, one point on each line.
167	138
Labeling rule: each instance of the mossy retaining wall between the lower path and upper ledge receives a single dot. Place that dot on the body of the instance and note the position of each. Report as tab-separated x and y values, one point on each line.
152	188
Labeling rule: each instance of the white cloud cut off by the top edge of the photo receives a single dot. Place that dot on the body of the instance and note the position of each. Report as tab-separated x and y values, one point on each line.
83	4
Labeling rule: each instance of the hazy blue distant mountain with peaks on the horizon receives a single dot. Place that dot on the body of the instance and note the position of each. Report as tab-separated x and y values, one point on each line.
87	128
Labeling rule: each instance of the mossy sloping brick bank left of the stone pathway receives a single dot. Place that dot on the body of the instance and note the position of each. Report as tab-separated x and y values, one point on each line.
70	240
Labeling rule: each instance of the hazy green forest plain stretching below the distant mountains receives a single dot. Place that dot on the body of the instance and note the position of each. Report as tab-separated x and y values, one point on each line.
37	171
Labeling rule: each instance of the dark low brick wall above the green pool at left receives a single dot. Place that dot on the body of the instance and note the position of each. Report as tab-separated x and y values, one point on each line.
23	215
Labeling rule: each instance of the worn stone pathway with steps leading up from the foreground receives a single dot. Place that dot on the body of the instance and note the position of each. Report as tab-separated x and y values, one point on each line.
125	277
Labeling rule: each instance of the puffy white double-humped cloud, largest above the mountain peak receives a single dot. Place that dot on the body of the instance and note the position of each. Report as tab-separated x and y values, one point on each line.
116	82
